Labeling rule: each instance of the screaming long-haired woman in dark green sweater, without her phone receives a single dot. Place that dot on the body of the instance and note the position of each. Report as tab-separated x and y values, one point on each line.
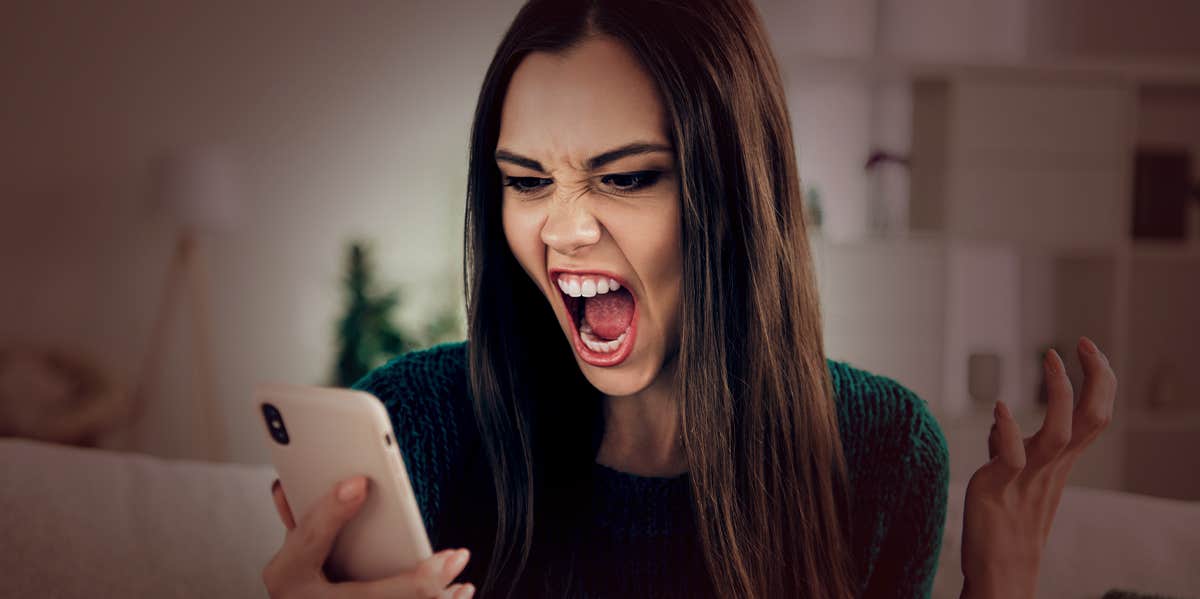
644	408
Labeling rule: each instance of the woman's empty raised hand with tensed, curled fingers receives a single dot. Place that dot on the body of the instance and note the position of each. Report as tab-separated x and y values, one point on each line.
1011	501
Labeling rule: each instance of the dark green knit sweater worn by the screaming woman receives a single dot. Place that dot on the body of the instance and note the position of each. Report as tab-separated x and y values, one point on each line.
641	540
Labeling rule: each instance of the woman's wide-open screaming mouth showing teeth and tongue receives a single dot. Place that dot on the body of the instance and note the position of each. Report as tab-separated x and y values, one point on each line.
603	314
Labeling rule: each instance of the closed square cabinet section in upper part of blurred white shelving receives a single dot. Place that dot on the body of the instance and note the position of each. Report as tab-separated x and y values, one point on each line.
1036	163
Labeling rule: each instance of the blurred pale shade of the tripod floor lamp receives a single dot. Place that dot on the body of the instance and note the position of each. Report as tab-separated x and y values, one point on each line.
202	188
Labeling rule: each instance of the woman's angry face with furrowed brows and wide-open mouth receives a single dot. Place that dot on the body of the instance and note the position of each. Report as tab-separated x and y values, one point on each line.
591	200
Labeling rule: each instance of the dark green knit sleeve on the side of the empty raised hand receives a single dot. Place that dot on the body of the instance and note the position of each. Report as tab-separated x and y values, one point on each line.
909	553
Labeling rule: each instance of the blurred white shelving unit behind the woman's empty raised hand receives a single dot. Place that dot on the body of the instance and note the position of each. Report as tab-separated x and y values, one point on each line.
1021	212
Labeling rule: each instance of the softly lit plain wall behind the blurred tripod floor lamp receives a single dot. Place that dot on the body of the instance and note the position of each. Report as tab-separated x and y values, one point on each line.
351	122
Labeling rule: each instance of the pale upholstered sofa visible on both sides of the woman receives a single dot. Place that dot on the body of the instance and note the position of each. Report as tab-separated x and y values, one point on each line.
88	523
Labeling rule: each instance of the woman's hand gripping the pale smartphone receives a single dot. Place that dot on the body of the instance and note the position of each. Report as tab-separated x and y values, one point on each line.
298	570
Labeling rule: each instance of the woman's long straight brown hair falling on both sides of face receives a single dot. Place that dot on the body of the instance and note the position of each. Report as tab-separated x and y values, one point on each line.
757	406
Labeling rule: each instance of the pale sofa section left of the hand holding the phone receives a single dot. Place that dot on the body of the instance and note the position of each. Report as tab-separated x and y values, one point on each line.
91	523
